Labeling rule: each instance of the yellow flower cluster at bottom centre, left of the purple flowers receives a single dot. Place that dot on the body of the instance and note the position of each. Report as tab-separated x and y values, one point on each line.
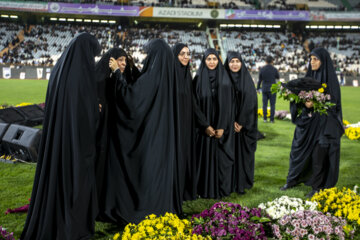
164	227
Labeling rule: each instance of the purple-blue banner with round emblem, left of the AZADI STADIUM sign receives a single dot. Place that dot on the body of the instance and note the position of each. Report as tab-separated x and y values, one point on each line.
93	9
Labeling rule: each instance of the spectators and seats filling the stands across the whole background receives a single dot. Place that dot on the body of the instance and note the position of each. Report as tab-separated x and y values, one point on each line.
43	44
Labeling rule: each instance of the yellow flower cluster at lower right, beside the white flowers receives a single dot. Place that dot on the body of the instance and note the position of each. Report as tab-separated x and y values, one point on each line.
343	203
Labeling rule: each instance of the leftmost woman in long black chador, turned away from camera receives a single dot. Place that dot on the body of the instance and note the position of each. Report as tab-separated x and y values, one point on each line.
63	201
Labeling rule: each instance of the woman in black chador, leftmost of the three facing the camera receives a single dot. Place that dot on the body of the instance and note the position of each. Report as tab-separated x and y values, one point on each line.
185	168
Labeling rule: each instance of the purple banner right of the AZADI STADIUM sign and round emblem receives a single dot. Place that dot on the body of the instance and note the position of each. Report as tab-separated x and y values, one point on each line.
267	15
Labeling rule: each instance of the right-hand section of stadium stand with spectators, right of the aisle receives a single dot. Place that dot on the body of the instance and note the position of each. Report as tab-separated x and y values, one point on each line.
288	50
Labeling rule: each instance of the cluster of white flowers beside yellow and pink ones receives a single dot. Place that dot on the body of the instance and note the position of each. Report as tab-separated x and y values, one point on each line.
285	205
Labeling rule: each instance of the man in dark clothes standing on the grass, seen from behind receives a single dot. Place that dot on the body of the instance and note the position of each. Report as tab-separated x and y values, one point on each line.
268	75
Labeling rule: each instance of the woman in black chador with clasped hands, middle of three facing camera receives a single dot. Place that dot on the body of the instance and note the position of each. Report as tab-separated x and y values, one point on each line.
214	145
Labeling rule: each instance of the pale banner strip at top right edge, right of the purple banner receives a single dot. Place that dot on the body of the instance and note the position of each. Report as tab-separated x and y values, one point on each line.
334	16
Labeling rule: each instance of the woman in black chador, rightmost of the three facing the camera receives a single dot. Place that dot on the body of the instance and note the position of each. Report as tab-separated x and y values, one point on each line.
245	125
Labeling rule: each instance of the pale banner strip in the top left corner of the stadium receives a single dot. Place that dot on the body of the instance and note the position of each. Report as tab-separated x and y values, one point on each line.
24	6
